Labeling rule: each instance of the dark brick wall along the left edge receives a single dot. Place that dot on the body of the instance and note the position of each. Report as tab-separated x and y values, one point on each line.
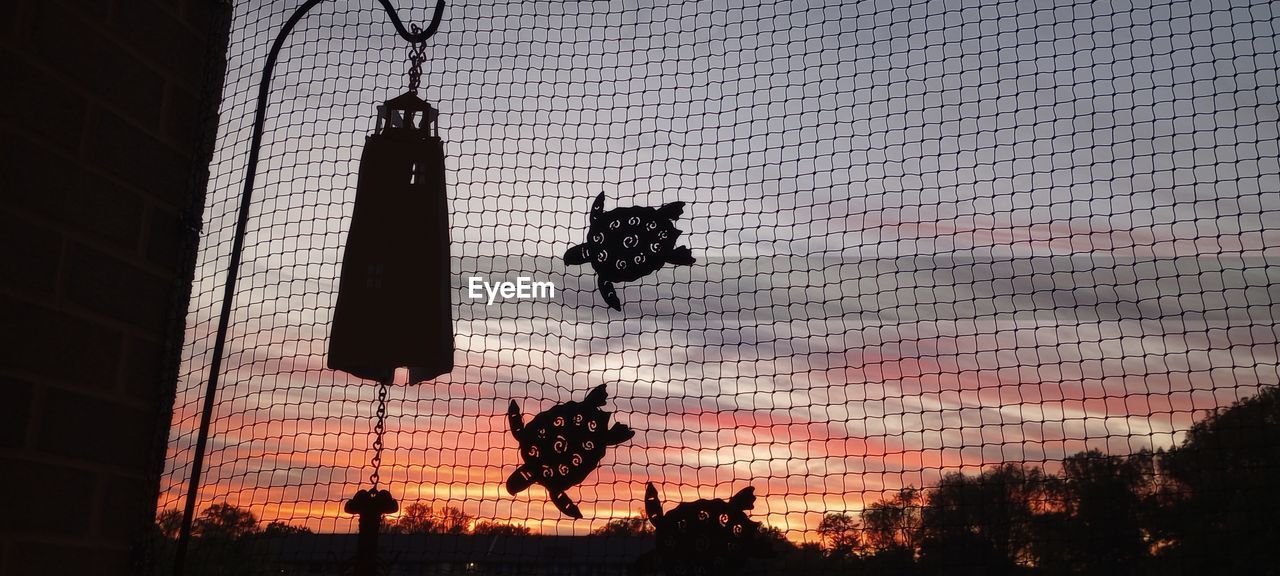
106	132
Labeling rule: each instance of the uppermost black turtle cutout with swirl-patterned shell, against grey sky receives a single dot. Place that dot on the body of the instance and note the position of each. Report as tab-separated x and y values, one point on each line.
628	244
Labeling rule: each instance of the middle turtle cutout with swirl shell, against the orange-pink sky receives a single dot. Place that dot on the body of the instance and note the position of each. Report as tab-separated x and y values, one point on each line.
563	446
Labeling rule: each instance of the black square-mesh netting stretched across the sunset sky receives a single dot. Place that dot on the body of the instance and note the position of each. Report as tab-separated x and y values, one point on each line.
932	237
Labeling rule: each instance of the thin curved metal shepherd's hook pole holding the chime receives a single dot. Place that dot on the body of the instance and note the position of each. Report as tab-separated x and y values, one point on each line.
239	246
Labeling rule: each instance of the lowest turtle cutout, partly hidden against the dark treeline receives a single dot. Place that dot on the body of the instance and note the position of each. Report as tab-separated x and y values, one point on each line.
707	537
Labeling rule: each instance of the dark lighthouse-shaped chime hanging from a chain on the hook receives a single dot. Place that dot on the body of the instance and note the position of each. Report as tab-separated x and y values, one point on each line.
394	307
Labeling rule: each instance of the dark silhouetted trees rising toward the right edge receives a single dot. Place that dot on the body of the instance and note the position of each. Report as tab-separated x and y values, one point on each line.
1206	506
